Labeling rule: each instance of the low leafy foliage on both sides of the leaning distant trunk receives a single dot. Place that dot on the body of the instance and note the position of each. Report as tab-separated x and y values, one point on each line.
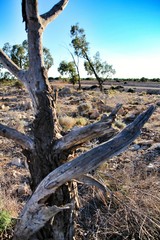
103	69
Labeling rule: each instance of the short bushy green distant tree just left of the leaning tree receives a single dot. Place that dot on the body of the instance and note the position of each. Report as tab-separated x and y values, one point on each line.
68	68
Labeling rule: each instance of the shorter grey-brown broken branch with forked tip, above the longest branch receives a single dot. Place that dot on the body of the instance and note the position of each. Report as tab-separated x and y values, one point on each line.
89	132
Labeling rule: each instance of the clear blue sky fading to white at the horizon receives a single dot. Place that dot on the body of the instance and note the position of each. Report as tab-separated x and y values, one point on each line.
125	32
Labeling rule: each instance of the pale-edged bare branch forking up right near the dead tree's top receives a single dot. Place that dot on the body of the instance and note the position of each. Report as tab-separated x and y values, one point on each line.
53	12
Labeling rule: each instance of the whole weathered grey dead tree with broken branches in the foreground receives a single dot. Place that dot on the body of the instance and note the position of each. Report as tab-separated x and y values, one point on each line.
47	150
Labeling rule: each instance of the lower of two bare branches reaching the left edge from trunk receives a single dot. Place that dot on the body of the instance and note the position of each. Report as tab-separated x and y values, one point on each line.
23	140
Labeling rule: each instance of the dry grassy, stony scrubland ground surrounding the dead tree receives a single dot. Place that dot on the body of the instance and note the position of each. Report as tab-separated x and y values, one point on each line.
131	209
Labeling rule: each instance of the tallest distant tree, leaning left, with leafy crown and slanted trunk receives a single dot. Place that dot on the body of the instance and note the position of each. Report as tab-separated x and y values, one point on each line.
81	49
